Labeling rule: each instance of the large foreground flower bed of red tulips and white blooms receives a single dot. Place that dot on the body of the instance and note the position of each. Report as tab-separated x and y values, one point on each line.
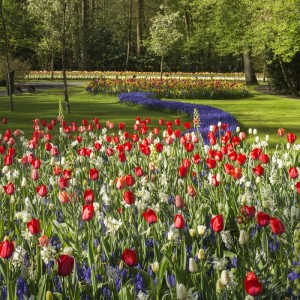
92	213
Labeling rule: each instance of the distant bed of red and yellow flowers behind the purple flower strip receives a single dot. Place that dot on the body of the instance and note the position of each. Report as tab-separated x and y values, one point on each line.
171	88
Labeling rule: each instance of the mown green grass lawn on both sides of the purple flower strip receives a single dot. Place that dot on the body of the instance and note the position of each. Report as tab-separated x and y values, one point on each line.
264	112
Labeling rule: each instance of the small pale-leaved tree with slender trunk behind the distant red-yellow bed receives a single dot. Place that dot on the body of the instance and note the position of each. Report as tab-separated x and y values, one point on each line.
164	34
